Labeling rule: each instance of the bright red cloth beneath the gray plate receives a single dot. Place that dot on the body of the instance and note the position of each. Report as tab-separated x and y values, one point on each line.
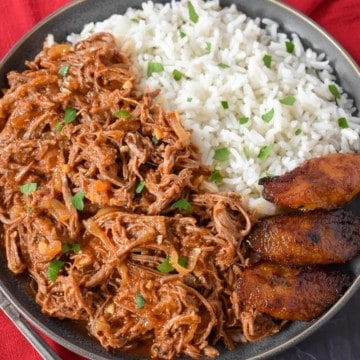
341	18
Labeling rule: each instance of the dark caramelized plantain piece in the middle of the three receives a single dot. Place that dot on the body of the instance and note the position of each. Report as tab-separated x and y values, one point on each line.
308	238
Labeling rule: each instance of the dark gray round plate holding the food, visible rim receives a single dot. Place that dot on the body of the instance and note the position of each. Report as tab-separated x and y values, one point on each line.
71	19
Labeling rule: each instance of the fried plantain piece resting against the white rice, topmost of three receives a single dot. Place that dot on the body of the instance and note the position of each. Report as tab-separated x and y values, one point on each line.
324	182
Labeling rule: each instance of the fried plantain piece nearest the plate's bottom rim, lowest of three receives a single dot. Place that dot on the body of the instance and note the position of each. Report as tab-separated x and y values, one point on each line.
289	293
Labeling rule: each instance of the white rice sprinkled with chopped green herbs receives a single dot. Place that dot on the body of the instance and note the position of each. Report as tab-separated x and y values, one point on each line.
226	89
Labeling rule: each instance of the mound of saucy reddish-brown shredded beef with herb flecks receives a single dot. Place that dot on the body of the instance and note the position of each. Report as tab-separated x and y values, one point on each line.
100	202
